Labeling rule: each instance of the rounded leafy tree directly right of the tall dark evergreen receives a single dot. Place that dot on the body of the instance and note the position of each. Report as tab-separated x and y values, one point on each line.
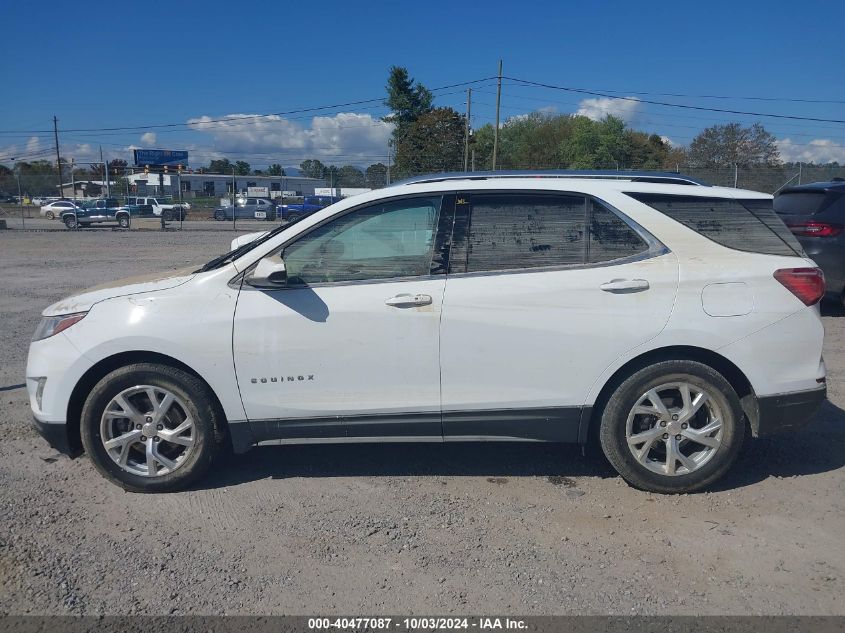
434	142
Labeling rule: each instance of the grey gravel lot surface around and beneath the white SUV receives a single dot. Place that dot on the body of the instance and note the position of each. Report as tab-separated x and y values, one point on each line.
526	529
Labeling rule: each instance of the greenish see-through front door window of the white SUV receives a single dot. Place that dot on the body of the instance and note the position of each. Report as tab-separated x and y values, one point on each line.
382	241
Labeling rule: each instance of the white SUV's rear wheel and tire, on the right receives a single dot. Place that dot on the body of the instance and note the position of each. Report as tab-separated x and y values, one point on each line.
701	457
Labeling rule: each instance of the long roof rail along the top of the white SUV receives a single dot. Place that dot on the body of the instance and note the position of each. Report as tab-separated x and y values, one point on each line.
600	174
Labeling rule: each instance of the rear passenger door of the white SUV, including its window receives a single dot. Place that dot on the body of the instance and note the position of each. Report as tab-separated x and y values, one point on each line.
545	291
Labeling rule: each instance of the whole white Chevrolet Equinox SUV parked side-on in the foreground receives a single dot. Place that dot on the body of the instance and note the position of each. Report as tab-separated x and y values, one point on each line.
661	318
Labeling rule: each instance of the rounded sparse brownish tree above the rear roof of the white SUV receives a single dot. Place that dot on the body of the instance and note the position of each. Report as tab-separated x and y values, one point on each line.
732	144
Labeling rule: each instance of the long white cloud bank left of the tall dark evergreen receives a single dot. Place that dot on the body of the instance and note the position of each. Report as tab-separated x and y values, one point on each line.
344	138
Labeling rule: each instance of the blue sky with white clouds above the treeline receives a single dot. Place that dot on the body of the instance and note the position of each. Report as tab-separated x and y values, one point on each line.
100	65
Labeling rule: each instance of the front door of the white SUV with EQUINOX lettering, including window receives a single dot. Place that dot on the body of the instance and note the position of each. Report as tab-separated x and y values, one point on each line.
350	346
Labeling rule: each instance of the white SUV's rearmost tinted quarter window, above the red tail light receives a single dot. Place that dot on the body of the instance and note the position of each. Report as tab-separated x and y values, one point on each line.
744	225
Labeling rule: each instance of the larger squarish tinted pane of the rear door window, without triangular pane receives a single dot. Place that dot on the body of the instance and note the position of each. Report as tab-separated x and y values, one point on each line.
509	231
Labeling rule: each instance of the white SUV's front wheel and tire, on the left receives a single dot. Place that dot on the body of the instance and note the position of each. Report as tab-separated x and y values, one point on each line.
176	464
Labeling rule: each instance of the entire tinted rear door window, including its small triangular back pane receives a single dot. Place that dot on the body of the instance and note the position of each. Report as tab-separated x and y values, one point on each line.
512	231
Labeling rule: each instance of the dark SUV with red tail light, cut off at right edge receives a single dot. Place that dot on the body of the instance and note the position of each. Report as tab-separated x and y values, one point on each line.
815	213
